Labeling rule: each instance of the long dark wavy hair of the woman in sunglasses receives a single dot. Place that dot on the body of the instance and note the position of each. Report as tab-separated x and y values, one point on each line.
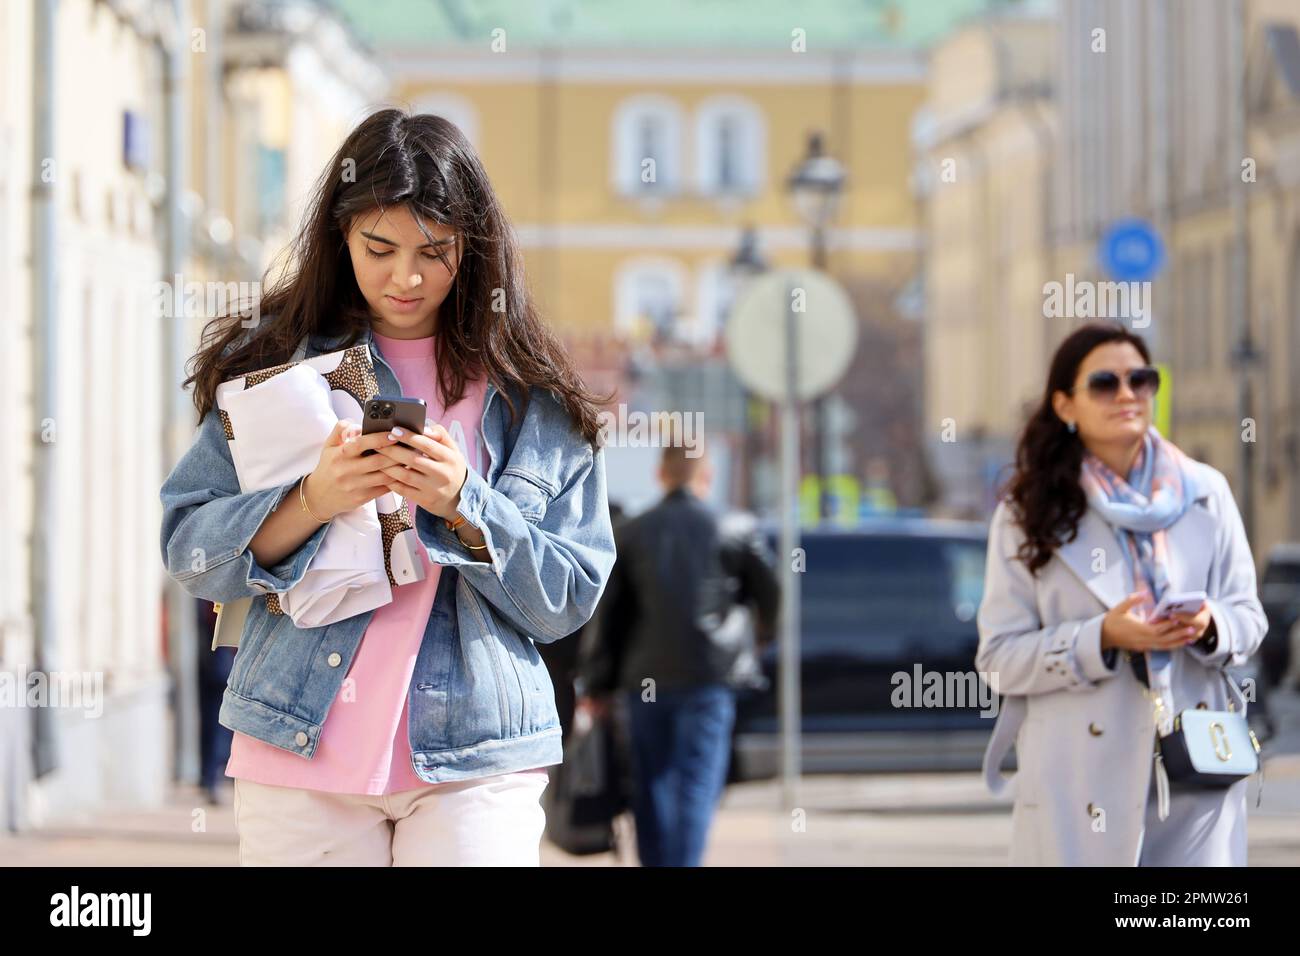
1045	491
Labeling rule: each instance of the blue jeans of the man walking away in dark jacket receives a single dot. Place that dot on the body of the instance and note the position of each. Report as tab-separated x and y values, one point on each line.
681	752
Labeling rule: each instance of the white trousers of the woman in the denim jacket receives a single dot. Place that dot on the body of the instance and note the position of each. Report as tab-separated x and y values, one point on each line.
489	821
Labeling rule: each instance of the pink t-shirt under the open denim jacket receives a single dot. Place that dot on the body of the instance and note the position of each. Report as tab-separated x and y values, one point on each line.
363	746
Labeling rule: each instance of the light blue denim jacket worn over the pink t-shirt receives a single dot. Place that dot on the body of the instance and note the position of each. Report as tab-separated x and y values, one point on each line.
480	700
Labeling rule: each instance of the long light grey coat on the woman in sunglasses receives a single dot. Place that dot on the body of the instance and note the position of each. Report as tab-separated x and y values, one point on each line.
1085	733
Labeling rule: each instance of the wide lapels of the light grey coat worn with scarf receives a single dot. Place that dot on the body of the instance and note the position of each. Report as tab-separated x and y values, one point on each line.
1097	561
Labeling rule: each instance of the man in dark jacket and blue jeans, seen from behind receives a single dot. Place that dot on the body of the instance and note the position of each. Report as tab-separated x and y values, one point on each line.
673	638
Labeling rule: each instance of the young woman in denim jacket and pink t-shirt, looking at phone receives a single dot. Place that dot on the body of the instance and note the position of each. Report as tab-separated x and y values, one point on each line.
418	733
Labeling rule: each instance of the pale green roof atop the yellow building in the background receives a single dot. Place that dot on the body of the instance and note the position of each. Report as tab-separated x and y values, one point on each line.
660	24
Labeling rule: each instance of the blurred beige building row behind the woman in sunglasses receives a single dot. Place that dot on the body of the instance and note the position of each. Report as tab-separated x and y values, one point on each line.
1058	132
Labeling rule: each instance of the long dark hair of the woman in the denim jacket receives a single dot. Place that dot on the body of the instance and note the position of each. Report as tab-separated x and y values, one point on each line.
424	163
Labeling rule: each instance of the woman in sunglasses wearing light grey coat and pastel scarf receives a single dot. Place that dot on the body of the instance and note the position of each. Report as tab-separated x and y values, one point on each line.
1102	518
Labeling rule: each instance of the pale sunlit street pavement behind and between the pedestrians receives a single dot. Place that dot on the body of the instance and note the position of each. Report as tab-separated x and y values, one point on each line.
890	820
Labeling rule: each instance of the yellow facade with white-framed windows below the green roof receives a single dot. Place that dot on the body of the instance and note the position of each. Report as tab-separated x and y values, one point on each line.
564	139
